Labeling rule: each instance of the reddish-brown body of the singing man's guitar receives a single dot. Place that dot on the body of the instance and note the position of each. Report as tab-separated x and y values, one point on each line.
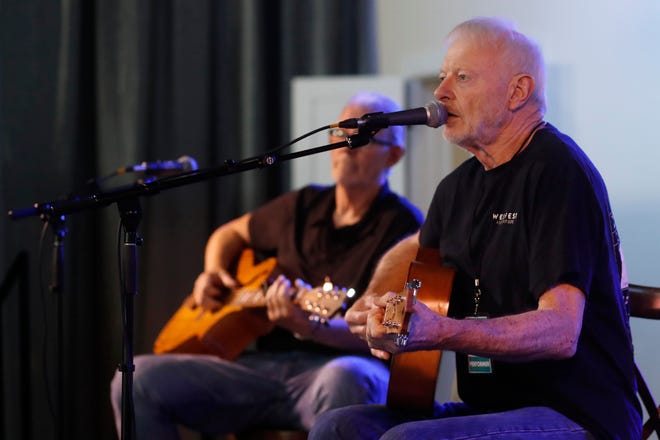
413	375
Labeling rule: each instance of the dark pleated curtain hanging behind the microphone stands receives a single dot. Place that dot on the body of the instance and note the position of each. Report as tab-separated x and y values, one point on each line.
87	87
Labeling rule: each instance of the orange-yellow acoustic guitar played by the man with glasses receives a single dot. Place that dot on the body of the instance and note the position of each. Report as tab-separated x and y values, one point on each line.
227	332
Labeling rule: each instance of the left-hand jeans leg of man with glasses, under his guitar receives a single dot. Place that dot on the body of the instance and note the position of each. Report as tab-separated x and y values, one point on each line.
204	393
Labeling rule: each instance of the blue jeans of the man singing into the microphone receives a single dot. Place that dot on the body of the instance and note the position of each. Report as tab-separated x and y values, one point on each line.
451	421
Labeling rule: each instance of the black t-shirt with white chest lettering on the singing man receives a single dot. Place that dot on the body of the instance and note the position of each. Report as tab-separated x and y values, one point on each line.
540	220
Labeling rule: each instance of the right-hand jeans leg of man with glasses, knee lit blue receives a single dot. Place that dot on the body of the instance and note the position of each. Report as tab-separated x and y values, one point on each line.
346	380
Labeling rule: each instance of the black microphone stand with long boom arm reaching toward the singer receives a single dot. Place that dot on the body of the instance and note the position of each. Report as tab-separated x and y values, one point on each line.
127	199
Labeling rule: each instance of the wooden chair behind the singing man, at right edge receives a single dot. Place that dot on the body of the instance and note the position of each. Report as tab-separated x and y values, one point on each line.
645	303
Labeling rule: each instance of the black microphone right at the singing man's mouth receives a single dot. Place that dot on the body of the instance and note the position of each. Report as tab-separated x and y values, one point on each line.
432	114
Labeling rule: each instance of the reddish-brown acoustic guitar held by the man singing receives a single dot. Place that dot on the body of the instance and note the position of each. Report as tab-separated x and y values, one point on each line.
413	374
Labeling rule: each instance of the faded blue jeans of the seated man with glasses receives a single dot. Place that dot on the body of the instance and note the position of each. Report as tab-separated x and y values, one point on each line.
215	396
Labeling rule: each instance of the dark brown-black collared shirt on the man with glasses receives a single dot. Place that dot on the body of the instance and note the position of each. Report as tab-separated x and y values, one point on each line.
297	228
